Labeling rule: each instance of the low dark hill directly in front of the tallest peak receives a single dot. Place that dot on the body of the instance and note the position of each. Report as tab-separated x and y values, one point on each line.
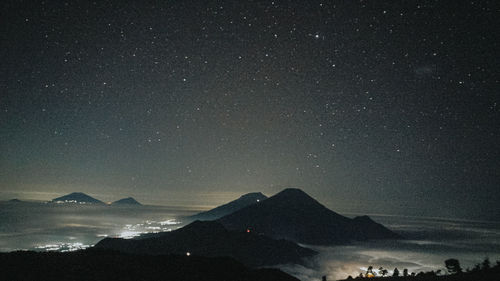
211	239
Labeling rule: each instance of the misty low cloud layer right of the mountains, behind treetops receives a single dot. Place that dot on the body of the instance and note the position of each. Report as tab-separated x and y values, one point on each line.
429	243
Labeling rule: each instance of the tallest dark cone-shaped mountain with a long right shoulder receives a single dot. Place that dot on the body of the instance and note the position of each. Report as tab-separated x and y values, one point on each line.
293	215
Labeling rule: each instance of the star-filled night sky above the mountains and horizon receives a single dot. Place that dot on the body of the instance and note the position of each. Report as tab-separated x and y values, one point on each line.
369	106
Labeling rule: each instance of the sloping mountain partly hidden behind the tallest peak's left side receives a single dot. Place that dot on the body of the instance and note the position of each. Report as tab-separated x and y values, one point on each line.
231	207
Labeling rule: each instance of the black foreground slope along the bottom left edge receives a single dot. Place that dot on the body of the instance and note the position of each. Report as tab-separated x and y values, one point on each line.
109	265
